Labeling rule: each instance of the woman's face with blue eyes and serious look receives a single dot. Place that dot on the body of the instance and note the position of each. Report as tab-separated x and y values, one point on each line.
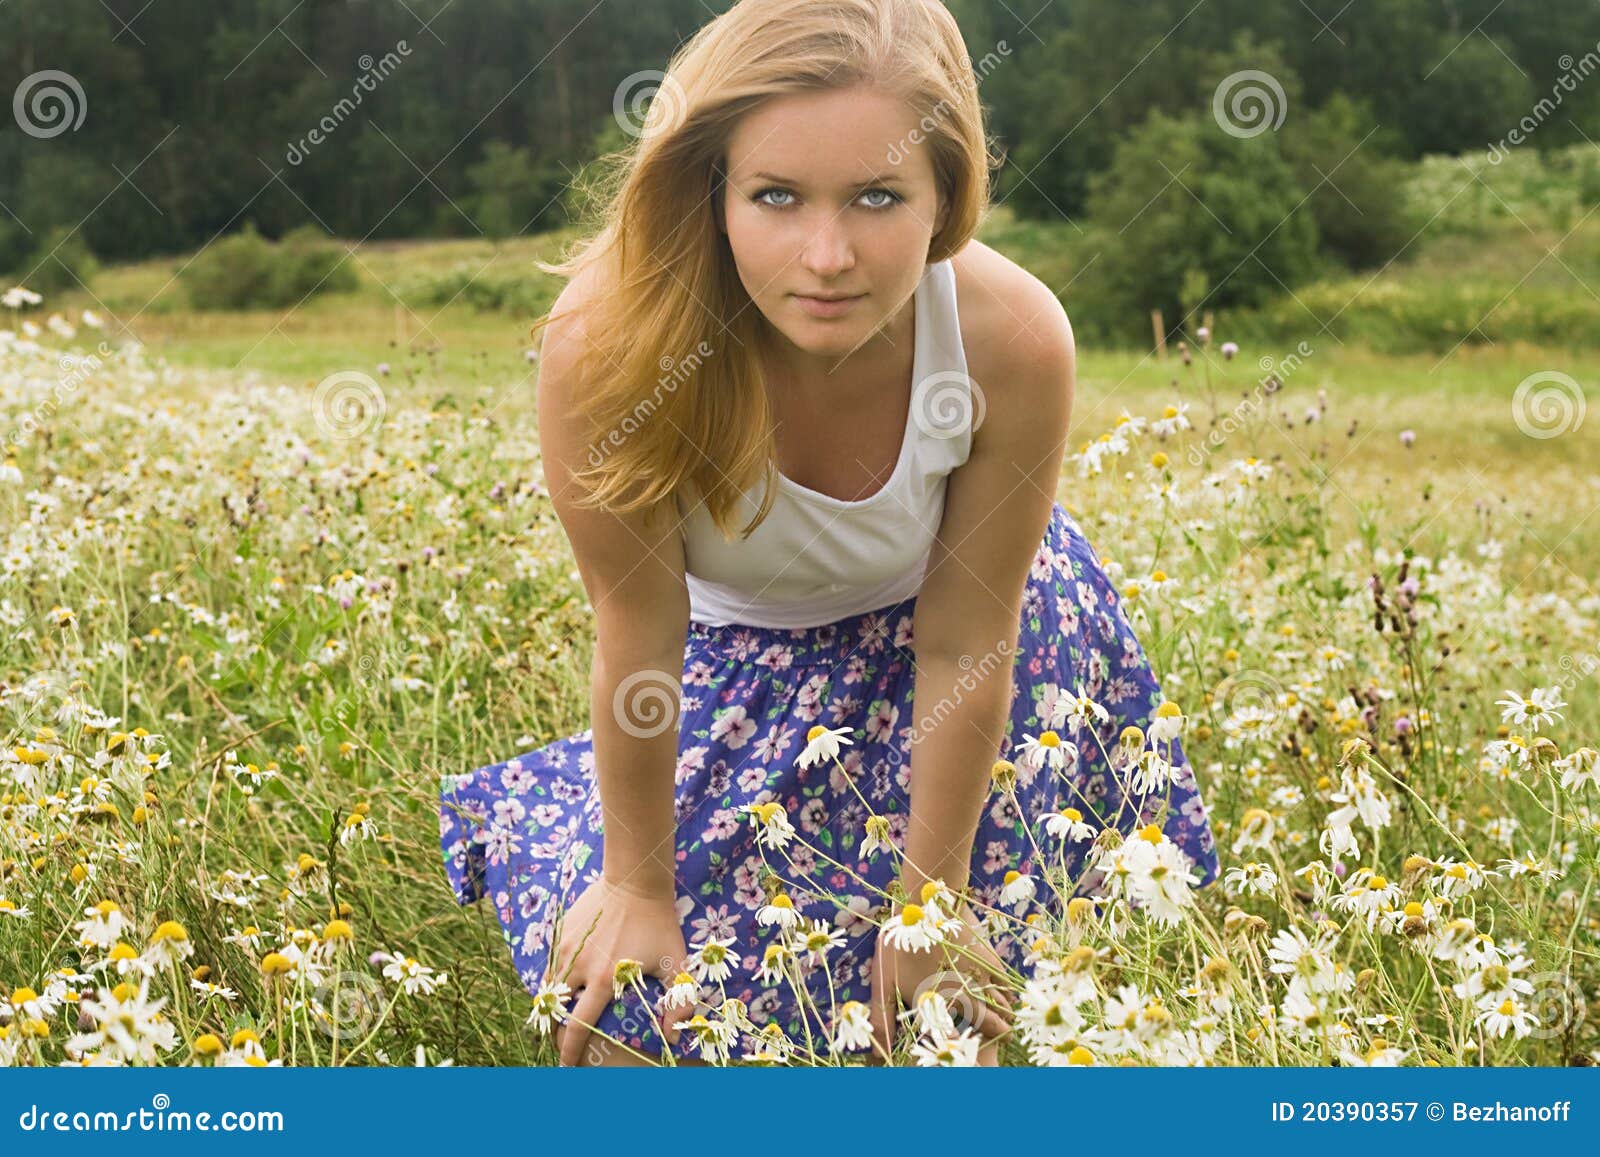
830	194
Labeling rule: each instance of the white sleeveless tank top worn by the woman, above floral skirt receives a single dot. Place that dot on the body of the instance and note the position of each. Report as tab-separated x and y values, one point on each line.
817	559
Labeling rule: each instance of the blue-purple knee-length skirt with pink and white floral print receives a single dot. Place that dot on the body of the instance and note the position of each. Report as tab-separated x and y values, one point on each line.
527	833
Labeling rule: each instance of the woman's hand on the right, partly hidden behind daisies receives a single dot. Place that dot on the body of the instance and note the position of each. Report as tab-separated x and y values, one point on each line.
964	969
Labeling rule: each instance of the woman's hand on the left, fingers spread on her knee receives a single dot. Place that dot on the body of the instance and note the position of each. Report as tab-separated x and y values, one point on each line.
610	923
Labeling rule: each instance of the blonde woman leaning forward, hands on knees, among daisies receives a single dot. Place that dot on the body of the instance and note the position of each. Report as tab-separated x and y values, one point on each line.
786	324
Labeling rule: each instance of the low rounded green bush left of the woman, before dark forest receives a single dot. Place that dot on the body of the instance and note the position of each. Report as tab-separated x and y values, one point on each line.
246	271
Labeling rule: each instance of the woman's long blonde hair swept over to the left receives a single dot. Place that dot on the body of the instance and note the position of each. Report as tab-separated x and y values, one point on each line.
671	380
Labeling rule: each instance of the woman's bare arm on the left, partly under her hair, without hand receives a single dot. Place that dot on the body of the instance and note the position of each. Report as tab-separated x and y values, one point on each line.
633	570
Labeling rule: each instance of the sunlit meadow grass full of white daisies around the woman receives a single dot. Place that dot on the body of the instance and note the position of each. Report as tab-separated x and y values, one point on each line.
250	630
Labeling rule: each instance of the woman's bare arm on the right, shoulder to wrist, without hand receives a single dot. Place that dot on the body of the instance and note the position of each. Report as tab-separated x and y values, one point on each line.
969	611
